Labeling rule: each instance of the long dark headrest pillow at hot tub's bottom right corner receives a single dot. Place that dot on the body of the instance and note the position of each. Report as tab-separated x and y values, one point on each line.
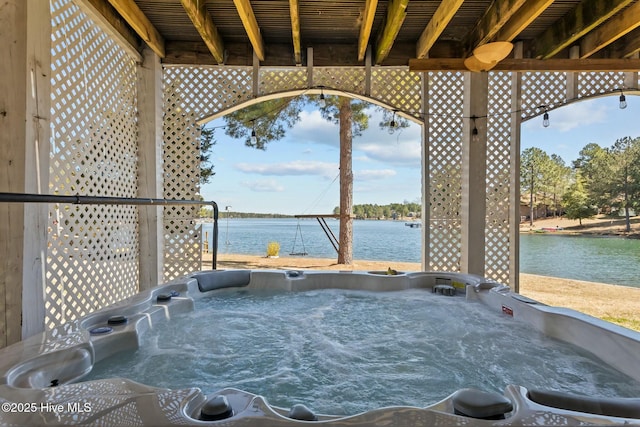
612	407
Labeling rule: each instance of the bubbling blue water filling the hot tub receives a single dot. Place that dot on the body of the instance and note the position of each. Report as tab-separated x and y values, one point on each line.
345	352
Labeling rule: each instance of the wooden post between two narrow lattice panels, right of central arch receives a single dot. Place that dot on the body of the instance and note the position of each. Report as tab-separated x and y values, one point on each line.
474	166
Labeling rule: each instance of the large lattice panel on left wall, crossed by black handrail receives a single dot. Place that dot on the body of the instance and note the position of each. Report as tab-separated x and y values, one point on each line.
92	258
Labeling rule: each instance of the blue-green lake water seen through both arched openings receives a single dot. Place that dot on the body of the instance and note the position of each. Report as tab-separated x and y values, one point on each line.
597	259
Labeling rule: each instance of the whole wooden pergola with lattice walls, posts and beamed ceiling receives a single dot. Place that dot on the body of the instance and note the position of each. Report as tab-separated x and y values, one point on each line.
106	98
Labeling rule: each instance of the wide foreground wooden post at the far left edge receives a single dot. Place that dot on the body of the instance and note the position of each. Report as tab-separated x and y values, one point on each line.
25	93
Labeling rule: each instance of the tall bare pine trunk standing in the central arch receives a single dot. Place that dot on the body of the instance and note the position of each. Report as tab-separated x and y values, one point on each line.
345	254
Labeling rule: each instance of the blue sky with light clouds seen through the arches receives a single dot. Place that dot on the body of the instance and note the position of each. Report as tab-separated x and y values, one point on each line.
299	174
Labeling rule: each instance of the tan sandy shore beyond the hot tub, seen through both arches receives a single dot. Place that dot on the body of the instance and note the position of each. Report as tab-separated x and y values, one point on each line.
617	304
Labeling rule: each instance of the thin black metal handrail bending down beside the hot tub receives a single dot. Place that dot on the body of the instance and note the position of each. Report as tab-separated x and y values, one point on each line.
103	200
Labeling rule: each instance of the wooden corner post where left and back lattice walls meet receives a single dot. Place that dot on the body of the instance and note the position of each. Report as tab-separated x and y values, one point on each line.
150	183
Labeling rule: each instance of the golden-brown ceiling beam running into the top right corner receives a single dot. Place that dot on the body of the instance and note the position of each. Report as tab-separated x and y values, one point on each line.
610	31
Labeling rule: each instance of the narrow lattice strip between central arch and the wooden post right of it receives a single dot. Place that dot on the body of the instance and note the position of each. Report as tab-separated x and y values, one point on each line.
445	168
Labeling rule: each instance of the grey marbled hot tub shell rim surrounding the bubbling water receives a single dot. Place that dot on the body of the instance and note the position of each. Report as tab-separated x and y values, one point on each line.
41	377
